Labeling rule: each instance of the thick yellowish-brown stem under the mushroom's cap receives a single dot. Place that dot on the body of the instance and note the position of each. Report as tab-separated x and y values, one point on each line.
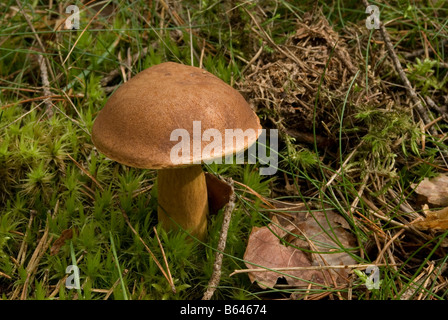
182	197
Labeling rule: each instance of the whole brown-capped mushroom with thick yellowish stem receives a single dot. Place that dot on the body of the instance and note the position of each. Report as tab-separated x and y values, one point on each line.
143	120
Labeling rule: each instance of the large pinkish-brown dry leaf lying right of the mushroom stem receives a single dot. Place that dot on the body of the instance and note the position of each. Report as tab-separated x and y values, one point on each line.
314	232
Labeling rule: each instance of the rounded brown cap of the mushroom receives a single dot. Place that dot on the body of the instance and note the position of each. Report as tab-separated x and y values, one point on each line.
135	125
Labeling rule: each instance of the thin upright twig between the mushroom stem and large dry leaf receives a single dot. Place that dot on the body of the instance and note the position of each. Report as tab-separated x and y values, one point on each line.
216	275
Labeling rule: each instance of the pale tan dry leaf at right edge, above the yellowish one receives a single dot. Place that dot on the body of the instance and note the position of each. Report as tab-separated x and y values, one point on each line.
435	190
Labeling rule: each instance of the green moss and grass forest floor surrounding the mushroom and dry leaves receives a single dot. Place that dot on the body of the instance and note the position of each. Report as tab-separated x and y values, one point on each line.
353	143
